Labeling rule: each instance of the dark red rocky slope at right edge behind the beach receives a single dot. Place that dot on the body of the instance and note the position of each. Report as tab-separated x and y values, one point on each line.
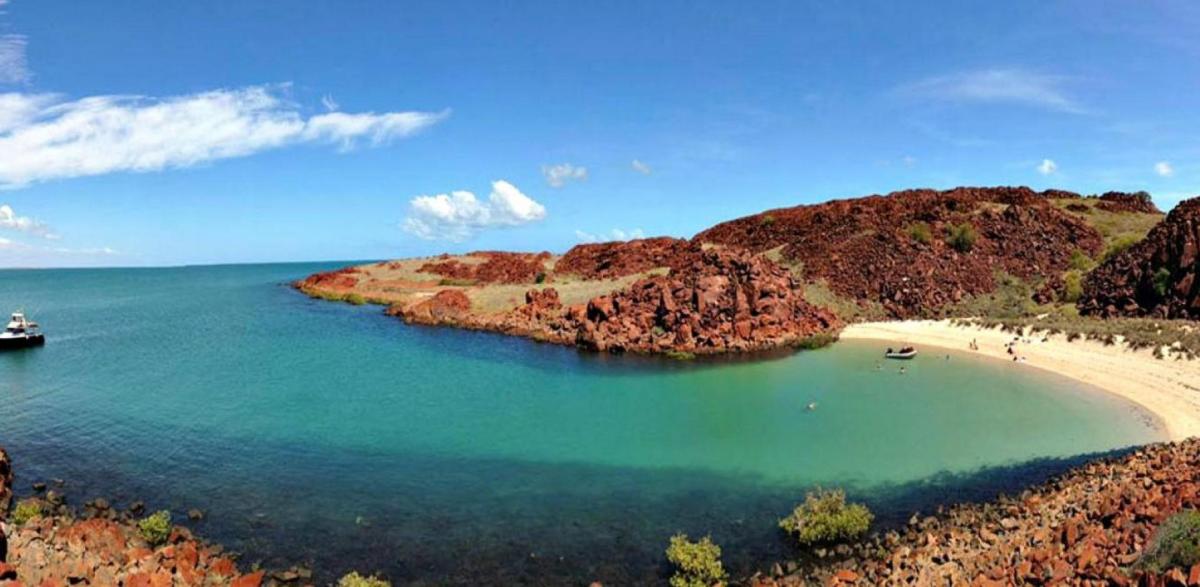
1155	278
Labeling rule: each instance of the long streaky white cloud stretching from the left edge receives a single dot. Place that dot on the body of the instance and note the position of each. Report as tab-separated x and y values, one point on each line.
47	139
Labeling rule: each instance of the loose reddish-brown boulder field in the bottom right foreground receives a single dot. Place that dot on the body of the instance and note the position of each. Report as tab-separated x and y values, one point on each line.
1085	529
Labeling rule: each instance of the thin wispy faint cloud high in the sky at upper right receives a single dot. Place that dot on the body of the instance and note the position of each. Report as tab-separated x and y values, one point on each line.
998	86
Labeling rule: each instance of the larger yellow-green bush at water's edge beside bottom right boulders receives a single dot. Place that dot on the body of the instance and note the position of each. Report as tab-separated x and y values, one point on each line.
825	517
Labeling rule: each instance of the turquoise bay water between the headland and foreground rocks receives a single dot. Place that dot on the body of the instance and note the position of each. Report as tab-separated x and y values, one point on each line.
333	435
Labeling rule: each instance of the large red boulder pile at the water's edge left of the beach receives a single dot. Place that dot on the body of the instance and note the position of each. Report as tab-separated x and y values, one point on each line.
716	302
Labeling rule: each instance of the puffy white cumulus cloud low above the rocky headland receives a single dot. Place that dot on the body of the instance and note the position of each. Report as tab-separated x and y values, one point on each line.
460	215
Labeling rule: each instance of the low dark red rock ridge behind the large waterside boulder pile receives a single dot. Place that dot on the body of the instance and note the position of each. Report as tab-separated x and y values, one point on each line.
607	261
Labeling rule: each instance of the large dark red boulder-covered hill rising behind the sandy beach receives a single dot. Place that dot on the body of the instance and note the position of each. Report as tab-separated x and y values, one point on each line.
902	251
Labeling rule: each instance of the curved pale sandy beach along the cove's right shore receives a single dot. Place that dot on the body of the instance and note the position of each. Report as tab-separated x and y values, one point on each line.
1171	390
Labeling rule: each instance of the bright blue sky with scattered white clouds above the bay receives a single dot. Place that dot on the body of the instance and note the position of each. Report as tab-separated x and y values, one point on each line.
241	131
